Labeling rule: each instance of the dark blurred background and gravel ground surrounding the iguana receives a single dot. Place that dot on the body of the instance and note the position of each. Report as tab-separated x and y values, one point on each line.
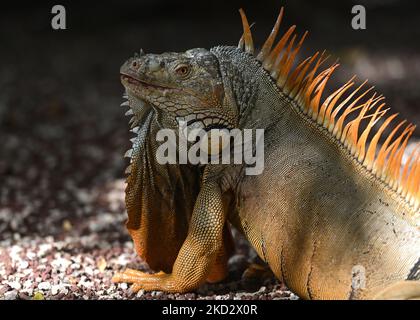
63	134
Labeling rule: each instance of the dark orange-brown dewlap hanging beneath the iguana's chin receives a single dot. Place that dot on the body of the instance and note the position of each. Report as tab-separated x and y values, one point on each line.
161	197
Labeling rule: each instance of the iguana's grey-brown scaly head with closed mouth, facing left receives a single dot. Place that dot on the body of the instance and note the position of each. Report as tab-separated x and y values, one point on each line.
184	87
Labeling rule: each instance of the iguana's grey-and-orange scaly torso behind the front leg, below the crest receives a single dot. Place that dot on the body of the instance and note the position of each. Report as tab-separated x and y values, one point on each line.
315	213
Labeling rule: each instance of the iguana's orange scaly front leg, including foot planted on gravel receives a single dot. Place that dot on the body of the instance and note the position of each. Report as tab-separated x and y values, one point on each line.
198	253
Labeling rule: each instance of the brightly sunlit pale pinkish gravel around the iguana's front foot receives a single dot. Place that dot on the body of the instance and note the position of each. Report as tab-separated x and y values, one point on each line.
79	263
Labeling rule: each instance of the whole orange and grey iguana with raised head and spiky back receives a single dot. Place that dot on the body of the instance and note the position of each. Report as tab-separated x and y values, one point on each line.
334	214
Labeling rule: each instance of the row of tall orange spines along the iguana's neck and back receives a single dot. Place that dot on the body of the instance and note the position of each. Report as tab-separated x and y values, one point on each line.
348	115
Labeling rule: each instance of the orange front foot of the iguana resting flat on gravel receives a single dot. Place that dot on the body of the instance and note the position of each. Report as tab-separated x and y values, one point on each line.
145	281
